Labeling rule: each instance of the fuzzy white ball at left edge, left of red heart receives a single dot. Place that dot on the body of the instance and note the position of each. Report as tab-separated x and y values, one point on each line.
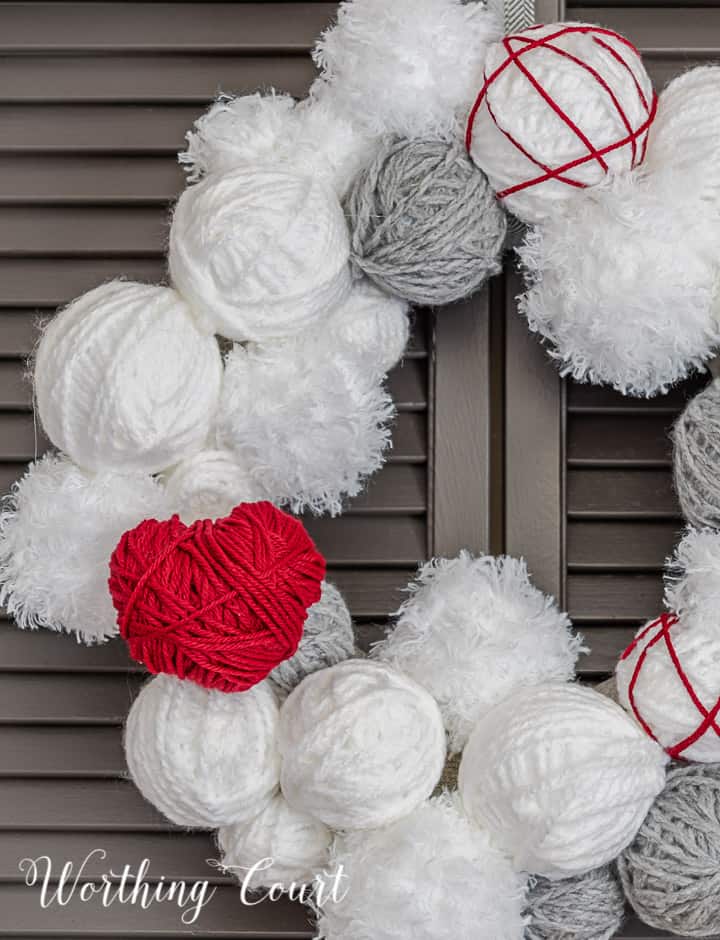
58	529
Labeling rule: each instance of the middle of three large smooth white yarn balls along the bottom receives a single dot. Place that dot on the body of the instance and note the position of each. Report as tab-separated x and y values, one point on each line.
362	745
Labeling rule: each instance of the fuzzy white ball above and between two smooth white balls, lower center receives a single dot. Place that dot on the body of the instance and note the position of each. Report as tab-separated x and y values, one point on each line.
475	630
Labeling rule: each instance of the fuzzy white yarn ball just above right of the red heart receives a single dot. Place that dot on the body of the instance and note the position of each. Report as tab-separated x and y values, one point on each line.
308	421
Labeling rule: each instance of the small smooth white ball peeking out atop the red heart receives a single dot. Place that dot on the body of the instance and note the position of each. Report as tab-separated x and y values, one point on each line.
209	485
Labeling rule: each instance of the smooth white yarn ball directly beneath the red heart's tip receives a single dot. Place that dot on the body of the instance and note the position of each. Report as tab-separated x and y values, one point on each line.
203	758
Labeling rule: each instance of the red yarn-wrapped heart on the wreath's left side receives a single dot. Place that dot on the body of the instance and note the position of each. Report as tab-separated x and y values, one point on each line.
221	603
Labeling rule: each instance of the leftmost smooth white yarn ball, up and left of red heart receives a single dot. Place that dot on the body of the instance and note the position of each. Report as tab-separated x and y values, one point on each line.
124	380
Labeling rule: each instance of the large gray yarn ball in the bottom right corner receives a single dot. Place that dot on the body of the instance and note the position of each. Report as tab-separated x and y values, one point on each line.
671	871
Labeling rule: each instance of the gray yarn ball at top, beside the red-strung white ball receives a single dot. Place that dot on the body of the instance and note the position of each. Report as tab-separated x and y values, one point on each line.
425	224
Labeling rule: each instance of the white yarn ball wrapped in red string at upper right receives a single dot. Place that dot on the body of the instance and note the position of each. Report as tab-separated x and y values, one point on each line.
560	107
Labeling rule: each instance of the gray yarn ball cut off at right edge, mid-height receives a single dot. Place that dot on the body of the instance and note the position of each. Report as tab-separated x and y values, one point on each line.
696	438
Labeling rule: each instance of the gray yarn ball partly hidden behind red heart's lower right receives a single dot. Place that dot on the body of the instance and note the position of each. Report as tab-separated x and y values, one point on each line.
327	639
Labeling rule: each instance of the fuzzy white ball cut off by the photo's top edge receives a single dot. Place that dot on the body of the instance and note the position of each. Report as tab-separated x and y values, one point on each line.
409	68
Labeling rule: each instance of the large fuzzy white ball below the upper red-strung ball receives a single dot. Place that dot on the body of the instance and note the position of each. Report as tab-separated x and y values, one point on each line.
590	296
